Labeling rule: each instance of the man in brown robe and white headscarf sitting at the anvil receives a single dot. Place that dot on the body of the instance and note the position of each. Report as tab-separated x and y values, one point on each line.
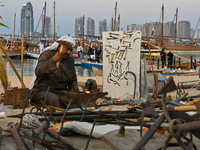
52	79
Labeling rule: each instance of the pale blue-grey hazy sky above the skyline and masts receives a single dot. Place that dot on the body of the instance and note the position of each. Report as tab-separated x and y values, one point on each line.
131	12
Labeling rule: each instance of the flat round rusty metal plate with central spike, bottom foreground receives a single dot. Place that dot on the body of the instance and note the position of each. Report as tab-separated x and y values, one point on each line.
131	137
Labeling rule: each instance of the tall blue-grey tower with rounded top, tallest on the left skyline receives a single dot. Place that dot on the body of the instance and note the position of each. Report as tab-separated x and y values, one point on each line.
27	21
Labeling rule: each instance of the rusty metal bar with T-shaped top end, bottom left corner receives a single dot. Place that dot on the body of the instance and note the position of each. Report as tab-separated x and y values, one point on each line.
17	138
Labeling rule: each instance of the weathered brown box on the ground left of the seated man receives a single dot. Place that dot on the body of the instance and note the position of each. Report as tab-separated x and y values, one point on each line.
17	97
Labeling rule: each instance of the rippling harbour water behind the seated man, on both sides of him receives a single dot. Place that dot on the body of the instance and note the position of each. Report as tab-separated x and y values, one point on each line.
30	63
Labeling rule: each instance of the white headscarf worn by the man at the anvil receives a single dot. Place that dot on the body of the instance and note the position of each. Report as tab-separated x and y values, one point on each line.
67	39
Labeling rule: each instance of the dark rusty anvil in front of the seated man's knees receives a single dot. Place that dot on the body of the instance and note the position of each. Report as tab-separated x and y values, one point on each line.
83	97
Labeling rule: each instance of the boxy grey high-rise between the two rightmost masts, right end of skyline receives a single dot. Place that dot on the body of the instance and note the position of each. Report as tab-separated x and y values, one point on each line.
184	29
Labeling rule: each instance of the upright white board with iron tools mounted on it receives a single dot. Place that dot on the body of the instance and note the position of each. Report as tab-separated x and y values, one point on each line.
121	63
